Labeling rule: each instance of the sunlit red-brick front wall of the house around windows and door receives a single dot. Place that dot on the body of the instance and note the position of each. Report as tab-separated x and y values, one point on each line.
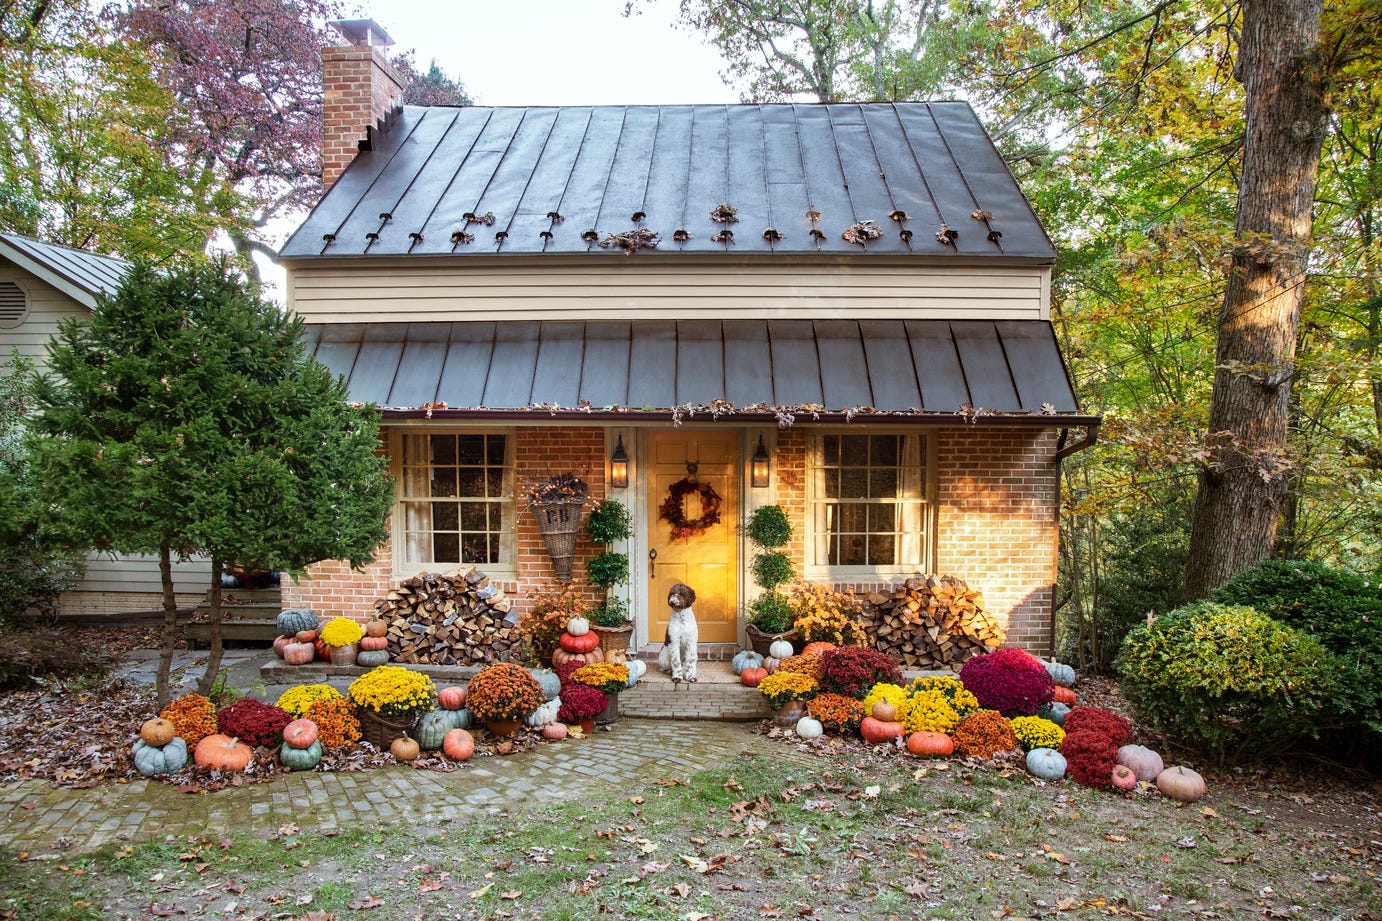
996	522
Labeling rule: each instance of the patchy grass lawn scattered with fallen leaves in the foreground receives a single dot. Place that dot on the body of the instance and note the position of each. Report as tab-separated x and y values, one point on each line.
797	836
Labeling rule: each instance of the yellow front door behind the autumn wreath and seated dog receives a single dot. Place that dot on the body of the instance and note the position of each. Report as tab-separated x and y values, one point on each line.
708	561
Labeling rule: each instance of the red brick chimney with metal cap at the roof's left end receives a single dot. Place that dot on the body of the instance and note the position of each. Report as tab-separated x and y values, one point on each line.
361	92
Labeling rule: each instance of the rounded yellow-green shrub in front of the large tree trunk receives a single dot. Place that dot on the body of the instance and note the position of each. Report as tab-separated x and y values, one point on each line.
1228	681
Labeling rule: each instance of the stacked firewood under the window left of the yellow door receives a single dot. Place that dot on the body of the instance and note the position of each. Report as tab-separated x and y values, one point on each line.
450	619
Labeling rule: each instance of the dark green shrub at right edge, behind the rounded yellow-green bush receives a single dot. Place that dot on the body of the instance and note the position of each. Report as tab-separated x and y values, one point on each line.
1336	606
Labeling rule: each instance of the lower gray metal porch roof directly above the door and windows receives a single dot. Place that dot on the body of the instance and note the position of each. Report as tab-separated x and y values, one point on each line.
917	367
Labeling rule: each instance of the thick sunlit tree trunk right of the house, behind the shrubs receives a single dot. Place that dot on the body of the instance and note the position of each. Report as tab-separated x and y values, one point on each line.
1243	485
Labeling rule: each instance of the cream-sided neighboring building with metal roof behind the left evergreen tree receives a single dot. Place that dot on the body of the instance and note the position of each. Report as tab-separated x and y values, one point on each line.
42	284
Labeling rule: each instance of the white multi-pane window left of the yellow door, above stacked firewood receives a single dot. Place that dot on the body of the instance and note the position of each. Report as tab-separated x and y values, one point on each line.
458	500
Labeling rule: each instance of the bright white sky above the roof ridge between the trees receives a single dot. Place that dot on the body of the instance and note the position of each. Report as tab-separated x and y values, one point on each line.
558	52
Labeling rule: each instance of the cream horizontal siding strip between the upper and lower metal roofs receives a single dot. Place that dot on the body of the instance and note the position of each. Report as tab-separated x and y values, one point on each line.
646	288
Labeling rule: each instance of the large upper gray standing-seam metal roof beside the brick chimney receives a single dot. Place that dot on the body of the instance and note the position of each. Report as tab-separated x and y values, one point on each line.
501	176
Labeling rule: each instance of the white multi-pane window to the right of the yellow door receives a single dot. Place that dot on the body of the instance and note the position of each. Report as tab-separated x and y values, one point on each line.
869	500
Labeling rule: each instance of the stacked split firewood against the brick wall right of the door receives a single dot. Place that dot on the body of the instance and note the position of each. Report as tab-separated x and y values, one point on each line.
932	622
